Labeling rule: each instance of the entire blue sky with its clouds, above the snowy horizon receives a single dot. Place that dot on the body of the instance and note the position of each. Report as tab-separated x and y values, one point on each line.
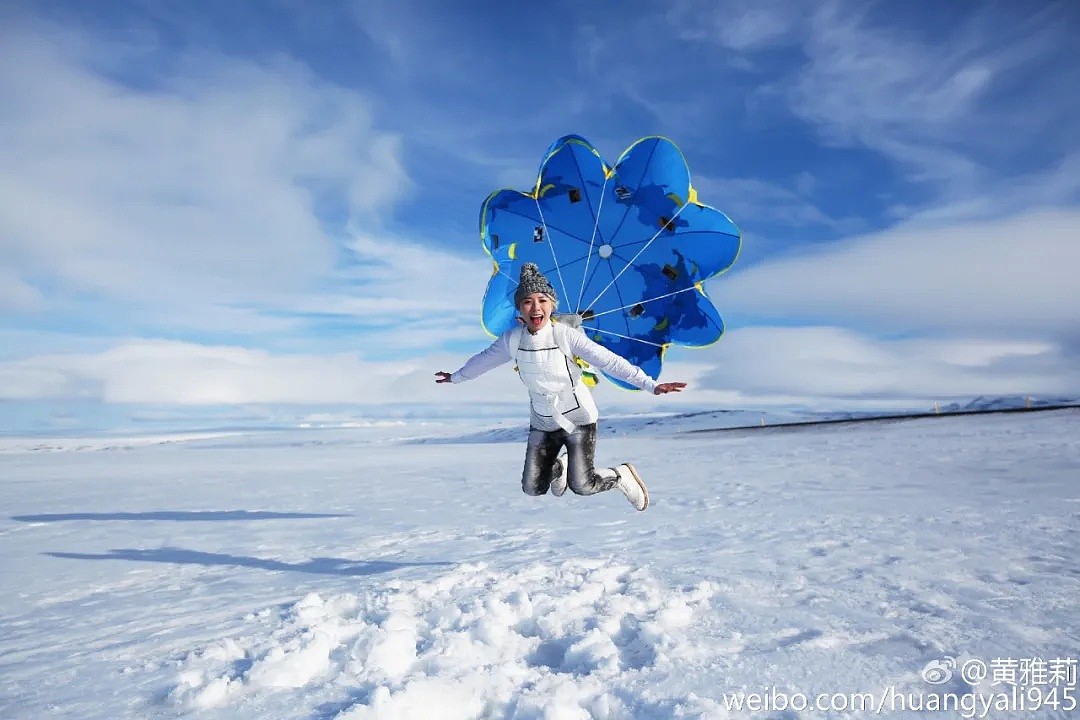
229	208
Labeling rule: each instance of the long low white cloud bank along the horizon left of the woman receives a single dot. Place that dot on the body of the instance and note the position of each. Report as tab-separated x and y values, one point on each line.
183	374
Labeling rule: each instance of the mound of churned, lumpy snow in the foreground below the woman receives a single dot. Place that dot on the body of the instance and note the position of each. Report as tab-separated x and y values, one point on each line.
568	642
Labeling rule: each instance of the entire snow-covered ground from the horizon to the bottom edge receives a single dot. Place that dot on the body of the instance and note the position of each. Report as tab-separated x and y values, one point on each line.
356	574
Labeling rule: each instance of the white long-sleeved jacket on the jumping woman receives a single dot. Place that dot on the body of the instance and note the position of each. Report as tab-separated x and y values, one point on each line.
558	397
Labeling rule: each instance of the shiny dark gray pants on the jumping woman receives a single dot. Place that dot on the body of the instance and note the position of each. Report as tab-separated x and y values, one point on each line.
582	478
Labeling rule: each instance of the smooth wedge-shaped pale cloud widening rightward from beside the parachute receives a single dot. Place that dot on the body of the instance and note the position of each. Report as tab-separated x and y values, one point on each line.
1010	278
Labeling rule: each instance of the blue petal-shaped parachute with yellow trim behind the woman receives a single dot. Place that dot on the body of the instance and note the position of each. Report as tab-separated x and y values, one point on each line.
627	248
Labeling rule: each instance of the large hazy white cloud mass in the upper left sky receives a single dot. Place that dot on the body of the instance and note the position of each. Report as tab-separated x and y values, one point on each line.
198	193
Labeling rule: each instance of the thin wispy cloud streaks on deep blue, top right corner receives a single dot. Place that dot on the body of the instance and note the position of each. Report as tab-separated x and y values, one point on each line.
937	105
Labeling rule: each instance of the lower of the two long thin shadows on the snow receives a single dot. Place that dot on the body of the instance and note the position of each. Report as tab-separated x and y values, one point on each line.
326	566
